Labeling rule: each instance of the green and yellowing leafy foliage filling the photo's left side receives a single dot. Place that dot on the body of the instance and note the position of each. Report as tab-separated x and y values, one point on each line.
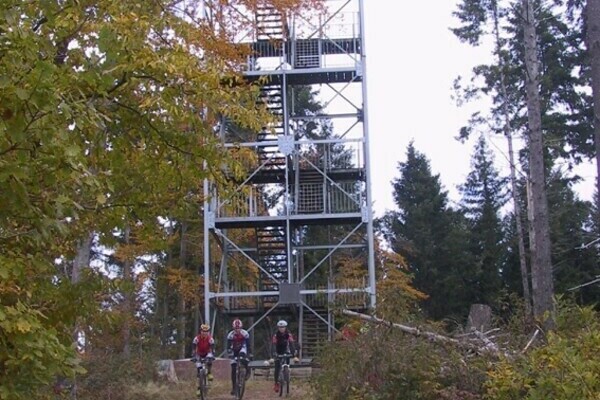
100	124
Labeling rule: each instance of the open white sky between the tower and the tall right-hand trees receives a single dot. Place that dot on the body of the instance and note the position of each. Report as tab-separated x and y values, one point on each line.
412	61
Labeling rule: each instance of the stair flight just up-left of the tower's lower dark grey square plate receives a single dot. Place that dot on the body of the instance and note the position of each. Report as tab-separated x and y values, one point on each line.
271	246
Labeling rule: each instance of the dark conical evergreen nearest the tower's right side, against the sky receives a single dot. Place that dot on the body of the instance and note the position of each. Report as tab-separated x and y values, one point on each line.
430	236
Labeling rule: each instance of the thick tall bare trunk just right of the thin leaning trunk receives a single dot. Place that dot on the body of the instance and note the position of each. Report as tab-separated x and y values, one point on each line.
541	267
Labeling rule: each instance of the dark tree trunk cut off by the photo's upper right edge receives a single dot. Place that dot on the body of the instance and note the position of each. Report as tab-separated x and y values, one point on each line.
592	15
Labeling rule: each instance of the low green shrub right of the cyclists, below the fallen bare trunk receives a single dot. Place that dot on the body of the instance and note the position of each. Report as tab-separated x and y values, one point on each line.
382	363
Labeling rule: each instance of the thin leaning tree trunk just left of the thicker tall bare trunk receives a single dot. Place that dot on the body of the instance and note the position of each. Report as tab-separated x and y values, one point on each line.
513	175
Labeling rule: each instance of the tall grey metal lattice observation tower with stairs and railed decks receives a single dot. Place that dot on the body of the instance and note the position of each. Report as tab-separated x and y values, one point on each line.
283	244
